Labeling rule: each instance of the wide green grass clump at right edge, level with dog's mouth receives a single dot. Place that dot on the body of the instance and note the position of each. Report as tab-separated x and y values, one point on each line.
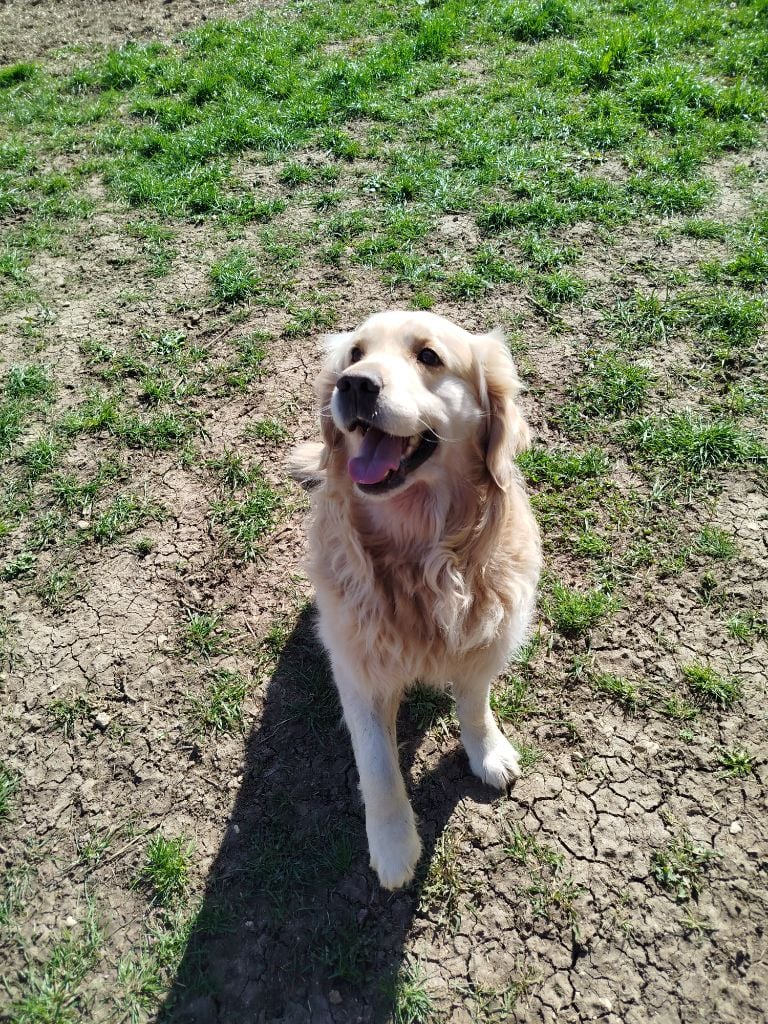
689	442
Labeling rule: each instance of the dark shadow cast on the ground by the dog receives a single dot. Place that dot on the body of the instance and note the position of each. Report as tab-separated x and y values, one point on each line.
294	926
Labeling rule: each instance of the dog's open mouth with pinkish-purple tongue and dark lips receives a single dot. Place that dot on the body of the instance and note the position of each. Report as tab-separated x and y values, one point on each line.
386	461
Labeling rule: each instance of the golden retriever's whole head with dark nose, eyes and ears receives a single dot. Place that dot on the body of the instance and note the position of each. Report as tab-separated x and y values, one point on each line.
411	396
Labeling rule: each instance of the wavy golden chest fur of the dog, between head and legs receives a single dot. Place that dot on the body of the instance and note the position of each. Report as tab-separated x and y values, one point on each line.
409	602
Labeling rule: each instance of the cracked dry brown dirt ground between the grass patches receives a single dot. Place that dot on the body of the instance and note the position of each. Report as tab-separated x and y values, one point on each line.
546	906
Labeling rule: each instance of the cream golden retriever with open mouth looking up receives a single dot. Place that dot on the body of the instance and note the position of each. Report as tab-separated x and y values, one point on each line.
423	550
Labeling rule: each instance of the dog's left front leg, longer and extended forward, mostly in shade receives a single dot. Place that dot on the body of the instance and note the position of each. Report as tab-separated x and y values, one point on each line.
393	839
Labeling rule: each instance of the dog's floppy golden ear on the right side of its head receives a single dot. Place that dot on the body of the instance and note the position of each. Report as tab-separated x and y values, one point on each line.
507	434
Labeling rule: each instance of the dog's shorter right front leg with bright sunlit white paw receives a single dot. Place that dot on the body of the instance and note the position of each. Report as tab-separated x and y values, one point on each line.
492	757
